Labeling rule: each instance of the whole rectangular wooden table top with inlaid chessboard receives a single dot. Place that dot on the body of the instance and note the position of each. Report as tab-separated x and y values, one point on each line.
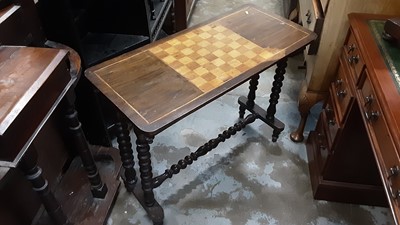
166	80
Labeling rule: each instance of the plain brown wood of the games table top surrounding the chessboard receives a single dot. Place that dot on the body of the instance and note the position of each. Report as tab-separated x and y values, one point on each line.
125	78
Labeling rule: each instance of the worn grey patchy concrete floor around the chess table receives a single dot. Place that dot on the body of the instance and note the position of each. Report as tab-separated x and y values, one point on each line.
247	179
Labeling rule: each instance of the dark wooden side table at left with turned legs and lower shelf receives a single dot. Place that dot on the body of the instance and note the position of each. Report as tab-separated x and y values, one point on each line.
41	136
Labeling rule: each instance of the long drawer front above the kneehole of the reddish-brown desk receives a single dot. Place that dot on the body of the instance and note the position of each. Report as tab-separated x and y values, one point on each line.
382	142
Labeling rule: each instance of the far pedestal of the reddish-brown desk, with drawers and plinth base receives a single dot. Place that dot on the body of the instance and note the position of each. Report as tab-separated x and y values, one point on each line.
341	159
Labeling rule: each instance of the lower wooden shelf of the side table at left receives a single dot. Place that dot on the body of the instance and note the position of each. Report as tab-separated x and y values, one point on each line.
74	192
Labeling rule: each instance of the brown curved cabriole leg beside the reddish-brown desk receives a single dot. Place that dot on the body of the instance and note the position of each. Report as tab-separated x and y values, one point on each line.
307	99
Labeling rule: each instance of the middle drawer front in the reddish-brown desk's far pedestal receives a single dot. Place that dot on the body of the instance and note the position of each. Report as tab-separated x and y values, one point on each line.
341	93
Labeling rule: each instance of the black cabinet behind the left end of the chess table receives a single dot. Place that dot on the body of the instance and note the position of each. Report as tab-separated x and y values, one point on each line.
98	31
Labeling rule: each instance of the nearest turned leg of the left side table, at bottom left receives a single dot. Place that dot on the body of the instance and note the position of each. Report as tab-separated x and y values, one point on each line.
41	186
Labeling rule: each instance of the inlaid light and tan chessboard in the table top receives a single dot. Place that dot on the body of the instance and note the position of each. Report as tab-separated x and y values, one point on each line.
210	55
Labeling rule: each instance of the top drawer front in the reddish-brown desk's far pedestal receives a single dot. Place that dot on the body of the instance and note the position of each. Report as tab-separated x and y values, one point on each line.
354	57
